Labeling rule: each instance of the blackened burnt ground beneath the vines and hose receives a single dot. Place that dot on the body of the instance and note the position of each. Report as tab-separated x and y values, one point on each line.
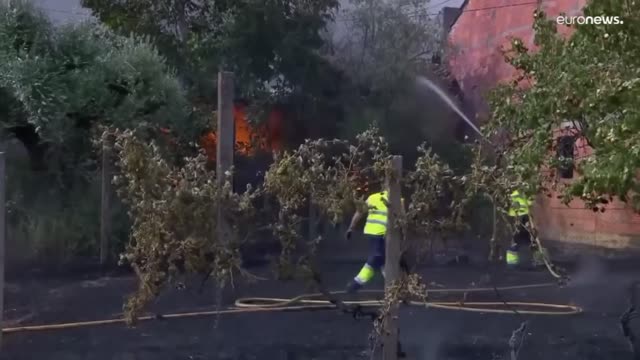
427	334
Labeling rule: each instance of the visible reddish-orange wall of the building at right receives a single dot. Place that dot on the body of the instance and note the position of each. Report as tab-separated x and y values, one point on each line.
475	40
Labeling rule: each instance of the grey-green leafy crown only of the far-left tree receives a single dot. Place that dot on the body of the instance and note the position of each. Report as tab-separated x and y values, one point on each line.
62	82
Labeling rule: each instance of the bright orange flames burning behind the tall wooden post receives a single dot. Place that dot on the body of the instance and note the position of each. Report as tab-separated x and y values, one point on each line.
249	139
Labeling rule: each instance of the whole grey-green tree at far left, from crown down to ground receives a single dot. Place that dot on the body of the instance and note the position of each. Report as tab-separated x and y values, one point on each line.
58	85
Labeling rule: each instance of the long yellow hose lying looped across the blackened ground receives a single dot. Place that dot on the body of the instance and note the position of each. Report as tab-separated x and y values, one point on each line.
307	302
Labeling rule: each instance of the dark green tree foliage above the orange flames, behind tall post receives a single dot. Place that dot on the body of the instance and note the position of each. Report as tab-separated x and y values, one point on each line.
273	47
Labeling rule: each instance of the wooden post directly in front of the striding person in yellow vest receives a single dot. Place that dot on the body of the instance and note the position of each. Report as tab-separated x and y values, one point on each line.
392	263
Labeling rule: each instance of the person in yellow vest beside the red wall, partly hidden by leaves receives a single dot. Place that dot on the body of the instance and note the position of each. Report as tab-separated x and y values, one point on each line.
520	211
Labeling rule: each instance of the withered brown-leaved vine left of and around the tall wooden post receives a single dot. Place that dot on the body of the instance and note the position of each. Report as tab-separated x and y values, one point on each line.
173	210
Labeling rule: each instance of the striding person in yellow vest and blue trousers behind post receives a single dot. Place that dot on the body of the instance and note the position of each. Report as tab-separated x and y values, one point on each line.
375	231
